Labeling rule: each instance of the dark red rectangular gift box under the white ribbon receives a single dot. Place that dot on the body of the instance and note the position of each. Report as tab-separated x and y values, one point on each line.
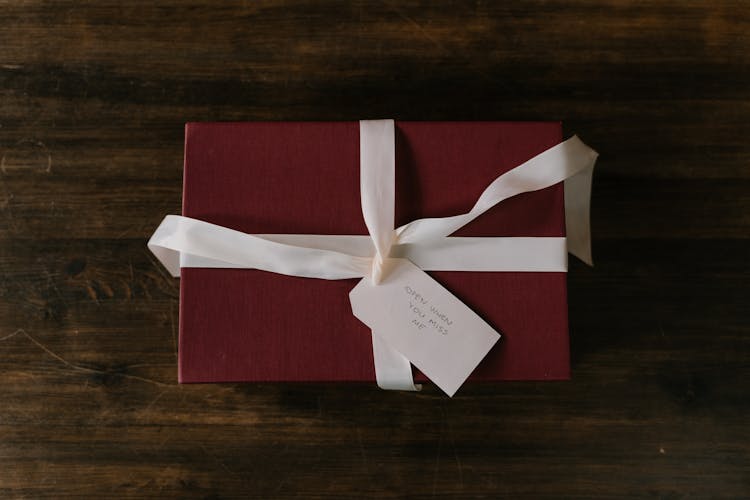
303	178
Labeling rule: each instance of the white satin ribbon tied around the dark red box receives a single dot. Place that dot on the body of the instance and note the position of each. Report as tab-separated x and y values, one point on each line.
185	242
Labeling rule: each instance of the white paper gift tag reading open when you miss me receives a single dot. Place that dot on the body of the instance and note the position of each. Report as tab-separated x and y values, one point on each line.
422	320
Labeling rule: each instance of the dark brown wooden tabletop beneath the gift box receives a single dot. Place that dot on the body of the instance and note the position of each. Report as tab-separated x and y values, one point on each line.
93	98
